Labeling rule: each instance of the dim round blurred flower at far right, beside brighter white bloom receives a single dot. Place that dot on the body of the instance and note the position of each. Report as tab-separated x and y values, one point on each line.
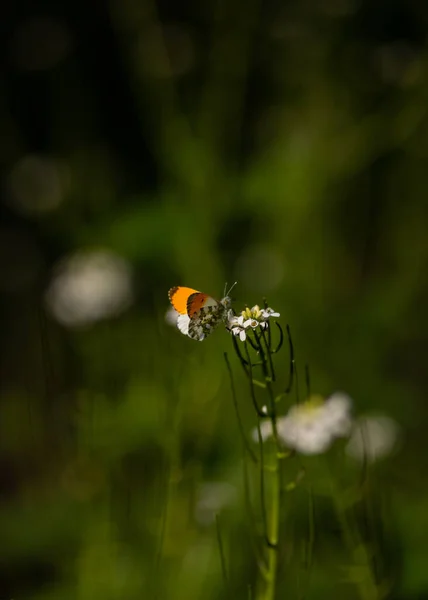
373	437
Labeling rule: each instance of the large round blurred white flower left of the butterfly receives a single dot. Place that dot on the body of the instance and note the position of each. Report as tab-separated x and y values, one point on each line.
90	286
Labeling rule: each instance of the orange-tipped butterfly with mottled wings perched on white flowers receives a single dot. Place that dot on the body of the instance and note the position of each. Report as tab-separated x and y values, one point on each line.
199	314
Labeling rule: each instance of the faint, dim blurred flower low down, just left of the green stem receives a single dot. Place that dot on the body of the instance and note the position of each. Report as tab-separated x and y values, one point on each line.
212	497
